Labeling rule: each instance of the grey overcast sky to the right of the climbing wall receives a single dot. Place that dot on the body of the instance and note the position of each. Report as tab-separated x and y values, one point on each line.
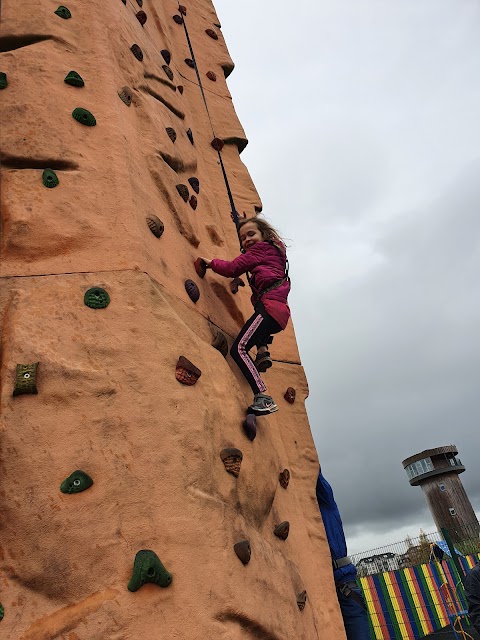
364	124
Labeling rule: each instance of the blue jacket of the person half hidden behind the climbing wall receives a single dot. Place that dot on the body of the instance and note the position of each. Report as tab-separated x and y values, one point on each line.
334	529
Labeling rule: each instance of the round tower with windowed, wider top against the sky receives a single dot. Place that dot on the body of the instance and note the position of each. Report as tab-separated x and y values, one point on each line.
437	471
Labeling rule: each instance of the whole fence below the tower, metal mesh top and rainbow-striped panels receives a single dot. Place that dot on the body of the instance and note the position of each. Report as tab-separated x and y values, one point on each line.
414	589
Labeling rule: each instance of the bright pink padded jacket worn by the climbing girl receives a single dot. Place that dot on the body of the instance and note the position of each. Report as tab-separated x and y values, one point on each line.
267	264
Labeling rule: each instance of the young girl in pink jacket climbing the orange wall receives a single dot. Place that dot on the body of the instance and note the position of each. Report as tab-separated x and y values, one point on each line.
264	257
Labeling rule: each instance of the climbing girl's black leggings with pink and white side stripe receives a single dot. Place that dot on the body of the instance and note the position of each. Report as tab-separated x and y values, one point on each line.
256	331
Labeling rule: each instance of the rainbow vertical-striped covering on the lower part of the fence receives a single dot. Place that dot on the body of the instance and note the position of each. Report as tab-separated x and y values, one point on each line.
407	604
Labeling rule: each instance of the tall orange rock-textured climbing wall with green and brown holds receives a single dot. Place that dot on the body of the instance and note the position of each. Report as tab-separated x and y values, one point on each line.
135	501
